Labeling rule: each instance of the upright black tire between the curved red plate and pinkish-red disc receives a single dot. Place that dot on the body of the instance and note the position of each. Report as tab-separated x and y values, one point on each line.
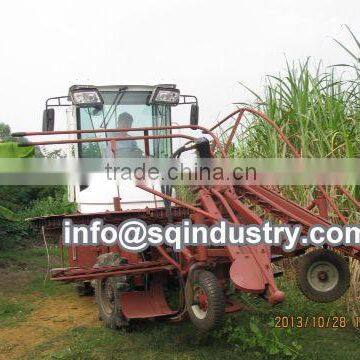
205	282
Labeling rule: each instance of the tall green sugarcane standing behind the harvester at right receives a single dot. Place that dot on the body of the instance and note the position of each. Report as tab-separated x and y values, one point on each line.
318	111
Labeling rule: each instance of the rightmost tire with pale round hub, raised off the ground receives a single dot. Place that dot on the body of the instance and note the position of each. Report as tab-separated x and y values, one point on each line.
323	275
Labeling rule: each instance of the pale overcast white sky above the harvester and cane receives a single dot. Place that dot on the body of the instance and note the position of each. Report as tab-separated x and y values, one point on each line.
205	47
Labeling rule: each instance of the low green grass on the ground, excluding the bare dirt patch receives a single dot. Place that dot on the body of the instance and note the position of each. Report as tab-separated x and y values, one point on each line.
161	340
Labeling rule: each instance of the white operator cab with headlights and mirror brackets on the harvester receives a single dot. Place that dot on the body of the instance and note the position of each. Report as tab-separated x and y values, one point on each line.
119	107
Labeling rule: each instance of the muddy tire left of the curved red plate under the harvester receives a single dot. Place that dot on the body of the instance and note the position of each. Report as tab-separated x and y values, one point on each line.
107	298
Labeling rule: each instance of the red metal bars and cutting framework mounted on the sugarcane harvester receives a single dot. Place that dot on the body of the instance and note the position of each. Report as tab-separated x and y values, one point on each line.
248	267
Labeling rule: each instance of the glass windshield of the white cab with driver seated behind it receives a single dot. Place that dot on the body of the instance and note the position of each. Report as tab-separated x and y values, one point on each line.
125	109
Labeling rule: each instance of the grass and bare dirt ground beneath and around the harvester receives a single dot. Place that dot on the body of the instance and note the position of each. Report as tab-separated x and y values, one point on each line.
48	320
